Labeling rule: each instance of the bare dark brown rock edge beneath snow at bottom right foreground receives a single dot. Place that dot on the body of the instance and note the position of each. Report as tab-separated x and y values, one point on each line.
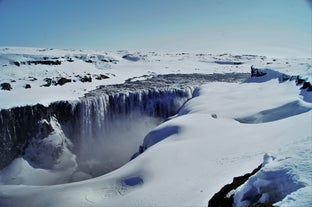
221	200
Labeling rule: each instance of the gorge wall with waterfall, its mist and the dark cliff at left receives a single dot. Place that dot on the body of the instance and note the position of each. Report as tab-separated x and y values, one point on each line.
106	129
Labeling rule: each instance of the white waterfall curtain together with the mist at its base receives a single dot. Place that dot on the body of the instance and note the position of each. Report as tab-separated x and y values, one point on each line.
110	127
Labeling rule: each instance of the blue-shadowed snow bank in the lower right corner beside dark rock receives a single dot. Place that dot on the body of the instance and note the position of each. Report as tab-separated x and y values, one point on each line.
284	179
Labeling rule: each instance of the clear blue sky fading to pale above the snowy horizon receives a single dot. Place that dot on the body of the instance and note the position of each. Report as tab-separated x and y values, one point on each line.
242	26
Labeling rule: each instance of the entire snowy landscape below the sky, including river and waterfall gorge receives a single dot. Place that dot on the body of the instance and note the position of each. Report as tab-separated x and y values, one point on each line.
93	128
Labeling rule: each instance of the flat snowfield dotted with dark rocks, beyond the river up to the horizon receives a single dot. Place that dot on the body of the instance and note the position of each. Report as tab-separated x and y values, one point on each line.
117	68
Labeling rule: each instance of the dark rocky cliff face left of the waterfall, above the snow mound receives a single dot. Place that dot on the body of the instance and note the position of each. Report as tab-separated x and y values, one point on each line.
20	124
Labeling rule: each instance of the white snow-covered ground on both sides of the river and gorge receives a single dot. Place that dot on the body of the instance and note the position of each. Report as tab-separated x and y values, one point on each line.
226	131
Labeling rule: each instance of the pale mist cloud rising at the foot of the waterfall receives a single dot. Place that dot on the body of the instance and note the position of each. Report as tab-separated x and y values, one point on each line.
114	144
